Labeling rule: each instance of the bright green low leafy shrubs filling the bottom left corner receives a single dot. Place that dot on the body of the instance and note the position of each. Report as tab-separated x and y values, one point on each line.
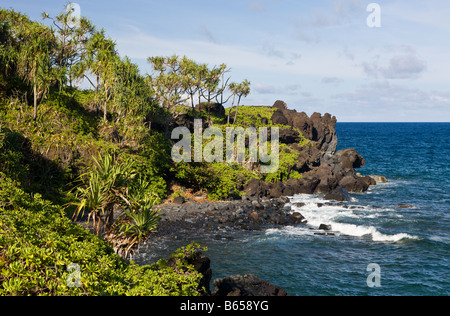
39	247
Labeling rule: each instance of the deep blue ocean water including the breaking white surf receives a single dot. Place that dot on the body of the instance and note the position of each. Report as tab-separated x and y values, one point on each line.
411	246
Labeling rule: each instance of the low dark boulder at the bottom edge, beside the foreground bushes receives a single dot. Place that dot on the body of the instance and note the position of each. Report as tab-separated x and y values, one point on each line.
245	285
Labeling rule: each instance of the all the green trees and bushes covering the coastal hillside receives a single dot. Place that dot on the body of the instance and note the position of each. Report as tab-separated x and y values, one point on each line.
104	153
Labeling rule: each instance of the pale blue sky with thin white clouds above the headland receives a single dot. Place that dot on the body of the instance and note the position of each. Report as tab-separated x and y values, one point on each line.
317	56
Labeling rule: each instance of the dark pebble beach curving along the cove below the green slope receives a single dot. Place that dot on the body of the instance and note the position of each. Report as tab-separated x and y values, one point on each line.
222	217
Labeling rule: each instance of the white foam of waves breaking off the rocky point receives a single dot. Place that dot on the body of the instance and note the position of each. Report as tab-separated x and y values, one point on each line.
318	211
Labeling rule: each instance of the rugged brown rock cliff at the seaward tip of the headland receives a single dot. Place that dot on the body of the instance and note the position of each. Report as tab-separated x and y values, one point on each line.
323	169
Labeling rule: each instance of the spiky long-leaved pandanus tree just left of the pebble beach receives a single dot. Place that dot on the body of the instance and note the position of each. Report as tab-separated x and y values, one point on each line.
111	183
